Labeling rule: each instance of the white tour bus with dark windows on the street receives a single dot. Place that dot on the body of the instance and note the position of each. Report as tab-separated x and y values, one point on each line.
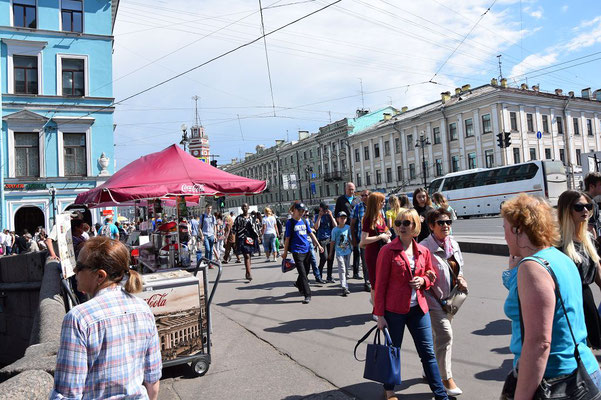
482	191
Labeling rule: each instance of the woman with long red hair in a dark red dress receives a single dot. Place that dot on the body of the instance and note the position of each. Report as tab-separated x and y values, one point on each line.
375	233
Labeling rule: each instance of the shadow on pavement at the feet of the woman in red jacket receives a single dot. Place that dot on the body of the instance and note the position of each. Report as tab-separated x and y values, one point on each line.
366	391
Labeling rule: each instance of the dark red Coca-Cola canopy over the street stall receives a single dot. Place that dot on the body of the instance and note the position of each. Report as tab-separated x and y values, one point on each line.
171	172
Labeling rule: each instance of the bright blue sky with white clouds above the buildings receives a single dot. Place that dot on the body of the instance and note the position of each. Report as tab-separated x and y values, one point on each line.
351	55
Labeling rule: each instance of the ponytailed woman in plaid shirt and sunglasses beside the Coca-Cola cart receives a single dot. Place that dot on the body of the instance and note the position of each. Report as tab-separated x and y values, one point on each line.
109	345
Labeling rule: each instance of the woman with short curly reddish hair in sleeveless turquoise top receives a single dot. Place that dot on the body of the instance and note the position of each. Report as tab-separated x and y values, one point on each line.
547	349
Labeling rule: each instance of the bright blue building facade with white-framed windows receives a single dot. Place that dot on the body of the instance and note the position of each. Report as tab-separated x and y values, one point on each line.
56	103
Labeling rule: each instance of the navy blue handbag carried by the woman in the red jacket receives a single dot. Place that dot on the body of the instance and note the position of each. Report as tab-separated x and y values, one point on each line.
382	361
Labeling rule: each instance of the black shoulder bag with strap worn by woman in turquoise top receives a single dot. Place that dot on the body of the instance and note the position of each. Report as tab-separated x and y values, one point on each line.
577	385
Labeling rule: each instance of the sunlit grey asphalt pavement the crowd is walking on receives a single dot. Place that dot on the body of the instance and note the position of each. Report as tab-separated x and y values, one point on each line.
319	338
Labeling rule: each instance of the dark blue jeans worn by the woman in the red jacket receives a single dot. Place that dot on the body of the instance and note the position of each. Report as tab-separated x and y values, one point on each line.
421	331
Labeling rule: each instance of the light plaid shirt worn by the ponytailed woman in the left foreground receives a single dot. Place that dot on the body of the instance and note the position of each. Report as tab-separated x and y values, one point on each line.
109	346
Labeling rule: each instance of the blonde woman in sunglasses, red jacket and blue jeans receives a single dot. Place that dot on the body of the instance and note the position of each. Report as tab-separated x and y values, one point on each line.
404	272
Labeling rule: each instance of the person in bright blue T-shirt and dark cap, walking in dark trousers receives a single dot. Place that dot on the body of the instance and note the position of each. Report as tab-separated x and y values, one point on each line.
297	236
